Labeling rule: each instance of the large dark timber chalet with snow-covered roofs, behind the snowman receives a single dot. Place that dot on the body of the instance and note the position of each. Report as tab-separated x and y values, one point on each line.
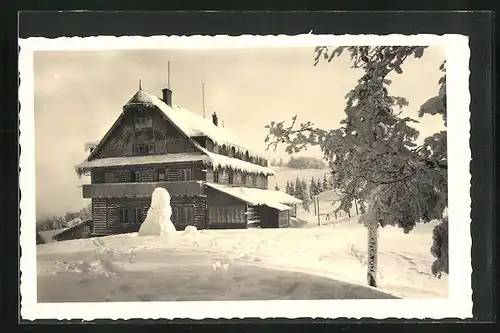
214	181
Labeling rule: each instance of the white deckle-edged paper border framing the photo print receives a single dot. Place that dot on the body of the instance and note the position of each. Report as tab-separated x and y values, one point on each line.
457	305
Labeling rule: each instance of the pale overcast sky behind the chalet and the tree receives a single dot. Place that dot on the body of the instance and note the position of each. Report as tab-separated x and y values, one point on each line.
78	95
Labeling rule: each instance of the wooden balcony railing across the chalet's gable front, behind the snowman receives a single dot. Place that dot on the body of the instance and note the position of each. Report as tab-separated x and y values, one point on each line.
109	190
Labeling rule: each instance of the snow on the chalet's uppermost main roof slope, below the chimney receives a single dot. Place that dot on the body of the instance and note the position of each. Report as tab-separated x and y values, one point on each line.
194	125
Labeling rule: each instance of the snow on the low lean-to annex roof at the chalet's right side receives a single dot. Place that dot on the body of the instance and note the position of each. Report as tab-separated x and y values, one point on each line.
257	196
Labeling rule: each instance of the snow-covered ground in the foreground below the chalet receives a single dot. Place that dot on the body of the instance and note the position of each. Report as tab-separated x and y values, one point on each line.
311	262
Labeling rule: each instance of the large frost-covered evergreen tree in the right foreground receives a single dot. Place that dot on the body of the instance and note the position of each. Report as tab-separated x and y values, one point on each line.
374	155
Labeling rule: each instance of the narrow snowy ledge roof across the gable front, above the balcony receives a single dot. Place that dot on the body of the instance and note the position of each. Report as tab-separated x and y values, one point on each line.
137	160
